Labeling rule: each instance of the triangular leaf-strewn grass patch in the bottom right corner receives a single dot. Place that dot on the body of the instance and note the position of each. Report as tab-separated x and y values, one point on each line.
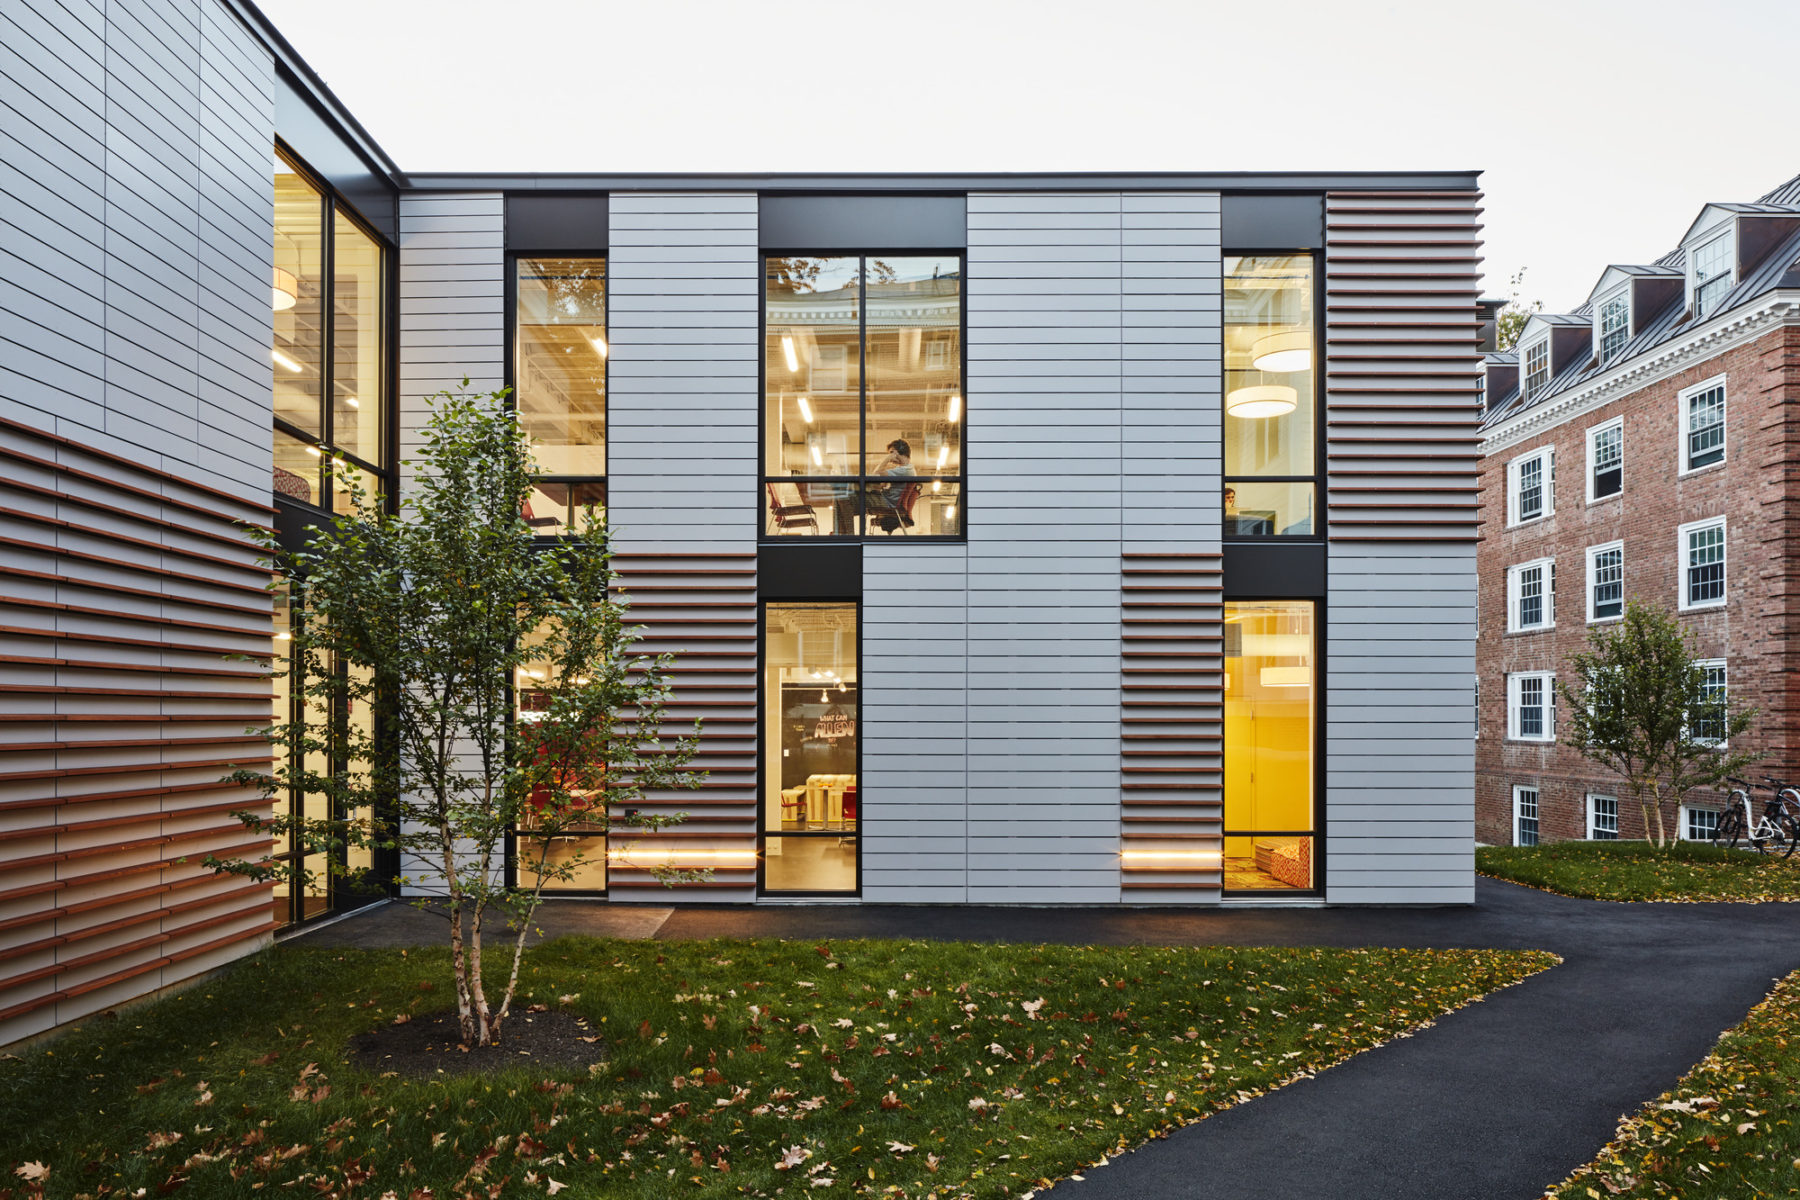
1731	1131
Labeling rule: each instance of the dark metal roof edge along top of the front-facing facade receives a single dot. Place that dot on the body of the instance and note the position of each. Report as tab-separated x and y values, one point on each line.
953	183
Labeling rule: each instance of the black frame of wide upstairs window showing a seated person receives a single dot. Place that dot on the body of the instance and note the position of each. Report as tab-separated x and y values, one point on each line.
858	483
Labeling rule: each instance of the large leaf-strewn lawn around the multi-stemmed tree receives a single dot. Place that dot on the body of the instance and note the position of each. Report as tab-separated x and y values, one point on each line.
737	1068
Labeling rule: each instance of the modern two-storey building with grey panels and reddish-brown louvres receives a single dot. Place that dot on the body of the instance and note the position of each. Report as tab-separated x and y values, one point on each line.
1025	539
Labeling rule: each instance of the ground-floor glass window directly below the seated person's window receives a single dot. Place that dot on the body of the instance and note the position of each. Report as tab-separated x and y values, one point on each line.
811	737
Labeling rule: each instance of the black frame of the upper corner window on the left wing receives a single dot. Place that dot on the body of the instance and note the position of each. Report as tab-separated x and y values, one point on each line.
332	206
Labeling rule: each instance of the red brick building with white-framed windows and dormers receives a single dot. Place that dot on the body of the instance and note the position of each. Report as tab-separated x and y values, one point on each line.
1642	447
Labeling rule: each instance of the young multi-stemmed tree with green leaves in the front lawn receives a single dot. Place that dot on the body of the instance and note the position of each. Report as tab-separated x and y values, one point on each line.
431	620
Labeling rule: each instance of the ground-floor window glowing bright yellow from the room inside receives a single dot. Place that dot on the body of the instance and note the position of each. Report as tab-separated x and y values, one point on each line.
1272	695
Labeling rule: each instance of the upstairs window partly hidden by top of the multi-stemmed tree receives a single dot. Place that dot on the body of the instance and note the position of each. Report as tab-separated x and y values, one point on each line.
561	382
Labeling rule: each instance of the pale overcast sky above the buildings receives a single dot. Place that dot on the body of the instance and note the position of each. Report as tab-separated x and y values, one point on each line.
1601	125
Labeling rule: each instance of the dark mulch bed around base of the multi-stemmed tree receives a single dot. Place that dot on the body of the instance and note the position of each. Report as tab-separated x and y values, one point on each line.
433	1046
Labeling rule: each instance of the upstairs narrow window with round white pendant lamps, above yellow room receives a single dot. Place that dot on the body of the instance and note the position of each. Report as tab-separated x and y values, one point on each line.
1270	372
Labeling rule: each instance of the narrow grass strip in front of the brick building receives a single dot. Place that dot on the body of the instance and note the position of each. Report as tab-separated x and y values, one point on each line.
1639	872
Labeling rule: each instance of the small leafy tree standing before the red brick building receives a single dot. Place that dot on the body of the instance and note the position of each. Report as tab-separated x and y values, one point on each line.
1641	708
